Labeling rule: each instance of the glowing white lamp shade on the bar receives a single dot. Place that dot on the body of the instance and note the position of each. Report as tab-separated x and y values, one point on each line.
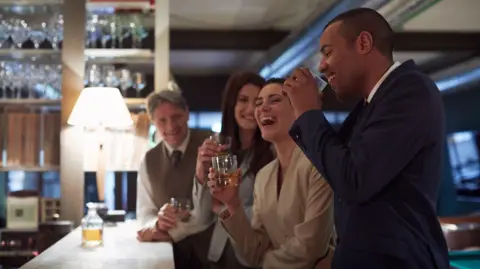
100	106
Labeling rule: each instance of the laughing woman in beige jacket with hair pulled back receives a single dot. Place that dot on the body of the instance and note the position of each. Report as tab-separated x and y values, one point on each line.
292	219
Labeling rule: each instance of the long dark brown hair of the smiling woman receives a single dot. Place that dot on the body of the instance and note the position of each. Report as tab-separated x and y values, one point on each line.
262	153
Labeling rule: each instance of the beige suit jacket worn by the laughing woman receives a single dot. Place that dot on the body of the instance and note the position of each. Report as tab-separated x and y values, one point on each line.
292	230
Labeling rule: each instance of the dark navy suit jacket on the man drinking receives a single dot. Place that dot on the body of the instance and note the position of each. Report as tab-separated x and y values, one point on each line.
384	166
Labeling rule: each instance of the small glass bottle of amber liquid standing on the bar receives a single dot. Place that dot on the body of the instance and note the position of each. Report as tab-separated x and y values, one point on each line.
92	227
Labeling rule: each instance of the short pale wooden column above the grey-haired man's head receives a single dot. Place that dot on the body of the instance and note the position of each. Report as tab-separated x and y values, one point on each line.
162	44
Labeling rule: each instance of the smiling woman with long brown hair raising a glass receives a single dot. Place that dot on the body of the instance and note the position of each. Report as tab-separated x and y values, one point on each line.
239	145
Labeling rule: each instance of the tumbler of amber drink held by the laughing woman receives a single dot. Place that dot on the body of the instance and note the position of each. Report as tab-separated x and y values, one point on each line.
226	168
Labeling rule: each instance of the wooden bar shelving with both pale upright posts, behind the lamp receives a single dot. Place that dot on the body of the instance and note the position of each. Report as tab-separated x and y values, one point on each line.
74	60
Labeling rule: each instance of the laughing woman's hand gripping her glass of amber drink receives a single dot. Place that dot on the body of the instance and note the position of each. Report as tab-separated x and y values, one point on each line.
225	194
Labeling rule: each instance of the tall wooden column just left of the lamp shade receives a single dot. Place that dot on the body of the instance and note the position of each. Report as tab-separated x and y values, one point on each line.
71	150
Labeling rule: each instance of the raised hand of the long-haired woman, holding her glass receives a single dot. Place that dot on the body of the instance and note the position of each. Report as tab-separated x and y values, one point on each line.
206	152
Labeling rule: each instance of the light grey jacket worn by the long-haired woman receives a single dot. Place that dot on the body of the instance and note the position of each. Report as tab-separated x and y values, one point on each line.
202	216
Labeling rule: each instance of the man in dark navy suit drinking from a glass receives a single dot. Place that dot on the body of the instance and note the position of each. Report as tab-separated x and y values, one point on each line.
384	163
